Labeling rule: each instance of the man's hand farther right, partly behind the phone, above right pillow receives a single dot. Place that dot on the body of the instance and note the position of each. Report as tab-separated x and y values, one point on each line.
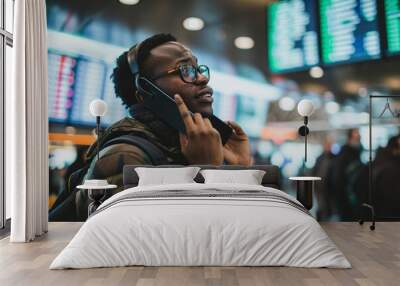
237	148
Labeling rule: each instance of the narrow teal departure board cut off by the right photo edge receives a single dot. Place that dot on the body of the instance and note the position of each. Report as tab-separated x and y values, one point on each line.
392	19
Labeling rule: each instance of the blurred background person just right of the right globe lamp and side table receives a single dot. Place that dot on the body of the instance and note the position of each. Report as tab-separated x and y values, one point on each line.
323	190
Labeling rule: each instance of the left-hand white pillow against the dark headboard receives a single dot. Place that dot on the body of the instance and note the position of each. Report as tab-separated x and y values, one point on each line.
164	176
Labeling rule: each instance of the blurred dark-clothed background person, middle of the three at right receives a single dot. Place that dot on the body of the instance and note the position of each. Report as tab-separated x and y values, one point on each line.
345	175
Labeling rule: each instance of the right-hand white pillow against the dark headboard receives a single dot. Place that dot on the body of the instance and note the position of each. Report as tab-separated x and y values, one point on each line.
248	177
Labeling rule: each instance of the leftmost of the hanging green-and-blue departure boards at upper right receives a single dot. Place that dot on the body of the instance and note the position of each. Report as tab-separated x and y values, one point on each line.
292	35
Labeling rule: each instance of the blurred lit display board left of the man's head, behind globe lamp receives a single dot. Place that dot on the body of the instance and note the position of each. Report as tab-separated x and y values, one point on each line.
73	83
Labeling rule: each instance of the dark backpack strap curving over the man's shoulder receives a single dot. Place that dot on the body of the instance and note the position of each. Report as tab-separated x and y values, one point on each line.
156	156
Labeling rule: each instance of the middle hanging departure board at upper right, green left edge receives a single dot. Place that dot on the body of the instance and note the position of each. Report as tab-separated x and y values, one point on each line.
349	30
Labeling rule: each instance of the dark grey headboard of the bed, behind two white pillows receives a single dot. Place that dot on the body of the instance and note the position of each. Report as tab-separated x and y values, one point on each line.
271	178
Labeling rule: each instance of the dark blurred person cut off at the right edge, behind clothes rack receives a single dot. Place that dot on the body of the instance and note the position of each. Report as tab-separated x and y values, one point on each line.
386	180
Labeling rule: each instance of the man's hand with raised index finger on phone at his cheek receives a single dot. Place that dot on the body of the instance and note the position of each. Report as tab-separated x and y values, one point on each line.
202	142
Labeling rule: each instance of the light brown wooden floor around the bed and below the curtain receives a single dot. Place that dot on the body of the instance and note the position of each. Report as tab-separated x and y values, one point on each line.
374	255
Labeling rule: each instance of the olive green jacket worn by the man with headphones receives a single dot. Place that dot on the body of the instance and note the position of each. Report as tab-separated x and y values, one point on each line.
113	158
